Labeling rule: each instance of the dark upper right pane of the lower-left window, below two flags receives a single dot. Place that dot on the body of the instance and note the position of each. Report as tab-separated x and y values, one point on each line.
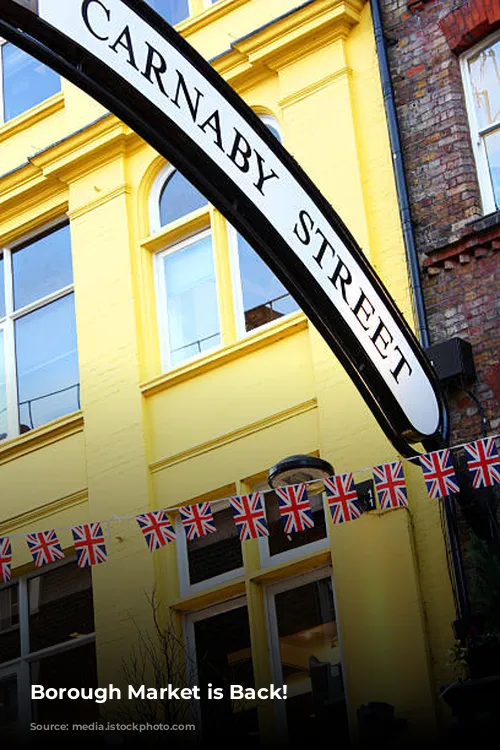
60	605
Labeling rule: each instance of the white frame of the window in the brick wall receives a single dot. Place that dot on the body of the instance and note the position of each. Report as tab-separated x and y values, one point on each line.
477	133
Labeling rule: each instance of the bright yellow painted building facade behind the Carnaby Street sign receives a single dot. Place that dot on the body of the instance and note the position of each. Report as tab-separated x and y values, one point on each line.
141	430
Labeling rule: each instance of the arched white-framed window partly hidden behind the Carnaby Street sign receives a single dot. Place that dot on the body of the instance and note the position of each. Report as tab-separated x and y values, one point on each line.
191	273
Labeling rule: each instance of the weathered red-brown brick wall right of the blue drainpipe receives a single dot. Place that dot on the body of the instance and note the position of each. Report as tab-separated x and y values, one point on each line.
458	247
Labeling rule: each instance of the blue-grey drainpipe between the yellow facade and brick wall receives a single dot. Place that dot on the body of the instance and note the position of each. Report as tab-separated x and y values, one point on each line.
399	173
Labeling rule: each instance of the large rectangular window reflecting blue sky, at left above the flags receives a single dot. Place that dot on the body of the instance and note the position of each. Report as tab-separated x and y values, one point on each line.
39	377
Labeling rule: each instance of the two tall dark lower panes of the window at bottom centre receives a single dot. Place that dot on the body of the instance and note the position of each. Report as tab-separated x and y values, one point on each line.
303	648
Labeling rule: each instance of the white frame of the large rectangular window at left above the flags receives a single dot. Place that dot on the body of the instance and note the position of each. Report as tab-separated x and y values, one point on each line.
7	323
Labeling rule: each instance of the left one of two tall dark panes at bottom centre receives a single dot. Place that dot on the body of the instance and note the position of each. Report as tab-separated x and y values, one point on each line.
224	658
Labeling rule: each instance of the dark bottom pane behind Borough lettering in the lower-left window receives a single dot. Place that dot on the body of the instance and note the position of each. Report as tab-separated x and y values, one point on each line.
61	723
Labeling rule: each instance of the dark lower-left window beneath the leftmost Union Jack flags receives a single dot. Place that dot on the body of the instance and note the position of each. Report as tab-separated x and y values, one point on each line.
47	638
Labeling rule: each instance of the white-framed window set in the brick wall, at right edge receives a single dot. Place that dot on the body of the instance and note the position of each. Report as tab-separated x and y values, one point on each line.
481	75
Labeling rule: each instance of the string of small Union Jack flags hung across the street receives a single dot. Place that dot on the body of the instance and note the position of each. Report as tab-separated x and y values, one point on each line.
249	514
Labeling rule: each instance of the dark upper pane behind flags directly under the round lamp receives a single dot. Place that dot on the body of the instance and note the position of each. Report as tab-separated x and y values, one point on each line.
281	542
